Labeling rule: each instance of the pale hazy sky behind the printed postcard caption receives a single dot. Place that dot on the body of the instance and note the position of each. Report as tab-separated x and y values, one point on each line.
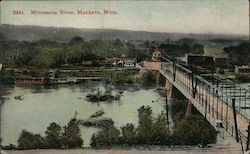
183	16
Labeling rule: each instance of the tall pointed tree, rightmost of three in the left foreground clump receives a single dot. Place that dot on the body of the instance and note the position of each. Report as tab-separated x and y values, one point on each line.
71	137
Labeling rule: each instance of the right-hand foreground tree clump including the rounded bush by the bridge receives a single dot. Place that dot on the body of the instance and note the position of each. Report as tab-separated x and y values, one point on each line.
192	130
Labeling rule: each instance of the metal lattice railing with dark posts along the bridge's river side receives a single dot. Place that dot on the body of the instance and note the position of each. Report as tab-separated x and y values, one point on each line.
210	97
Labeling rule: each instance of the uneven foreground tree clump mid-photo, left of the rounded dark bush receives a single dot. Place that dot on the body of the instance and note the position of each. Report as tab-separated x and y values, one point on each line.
150	131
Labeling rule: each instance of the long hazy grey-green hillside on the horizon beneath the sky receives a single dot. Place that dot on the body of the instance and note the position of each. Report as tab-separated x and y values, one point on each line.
31	33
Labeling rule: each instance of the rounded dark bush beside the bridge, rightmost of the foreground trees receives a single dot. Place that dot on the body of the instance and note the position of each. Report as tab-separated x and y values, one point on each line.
195	130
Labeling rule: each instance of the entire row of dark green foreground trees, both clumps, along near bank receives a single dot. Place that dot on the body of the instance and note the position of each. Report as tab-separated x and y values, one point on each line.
150	131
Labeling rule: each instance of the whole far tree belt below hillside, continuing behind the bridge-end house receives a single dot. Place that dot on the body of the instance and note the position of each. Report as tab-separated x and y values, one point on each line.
51	54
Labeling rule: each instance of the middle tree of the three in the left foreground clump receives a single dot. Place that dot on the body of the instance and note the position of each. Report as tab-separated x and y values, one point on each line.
53	138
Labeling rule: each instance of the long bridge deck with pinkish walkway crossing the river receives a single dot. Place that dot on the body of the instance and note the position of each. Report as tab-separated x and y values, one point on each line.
209	100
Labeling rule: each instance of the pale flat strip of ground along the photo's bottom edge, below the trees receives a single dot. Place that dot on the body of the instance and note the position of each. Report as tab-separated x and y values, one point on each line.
220	149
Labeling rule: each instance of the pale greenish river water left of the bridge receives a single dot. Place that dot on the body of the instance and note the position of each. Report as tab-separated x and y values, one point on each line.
42	105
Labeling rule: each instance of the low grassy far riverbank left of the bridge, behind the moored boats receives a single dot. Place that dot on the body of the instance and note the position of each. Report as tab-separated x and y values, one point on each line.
112	74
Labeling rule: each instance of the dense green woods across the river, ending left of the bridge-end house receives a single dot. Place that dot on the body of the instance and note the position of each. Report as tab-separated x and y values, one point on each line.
44	54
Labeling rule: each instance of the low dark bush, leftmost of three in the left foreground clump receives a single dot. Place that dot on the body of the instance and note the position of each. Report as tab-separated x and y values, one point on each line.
28	140
